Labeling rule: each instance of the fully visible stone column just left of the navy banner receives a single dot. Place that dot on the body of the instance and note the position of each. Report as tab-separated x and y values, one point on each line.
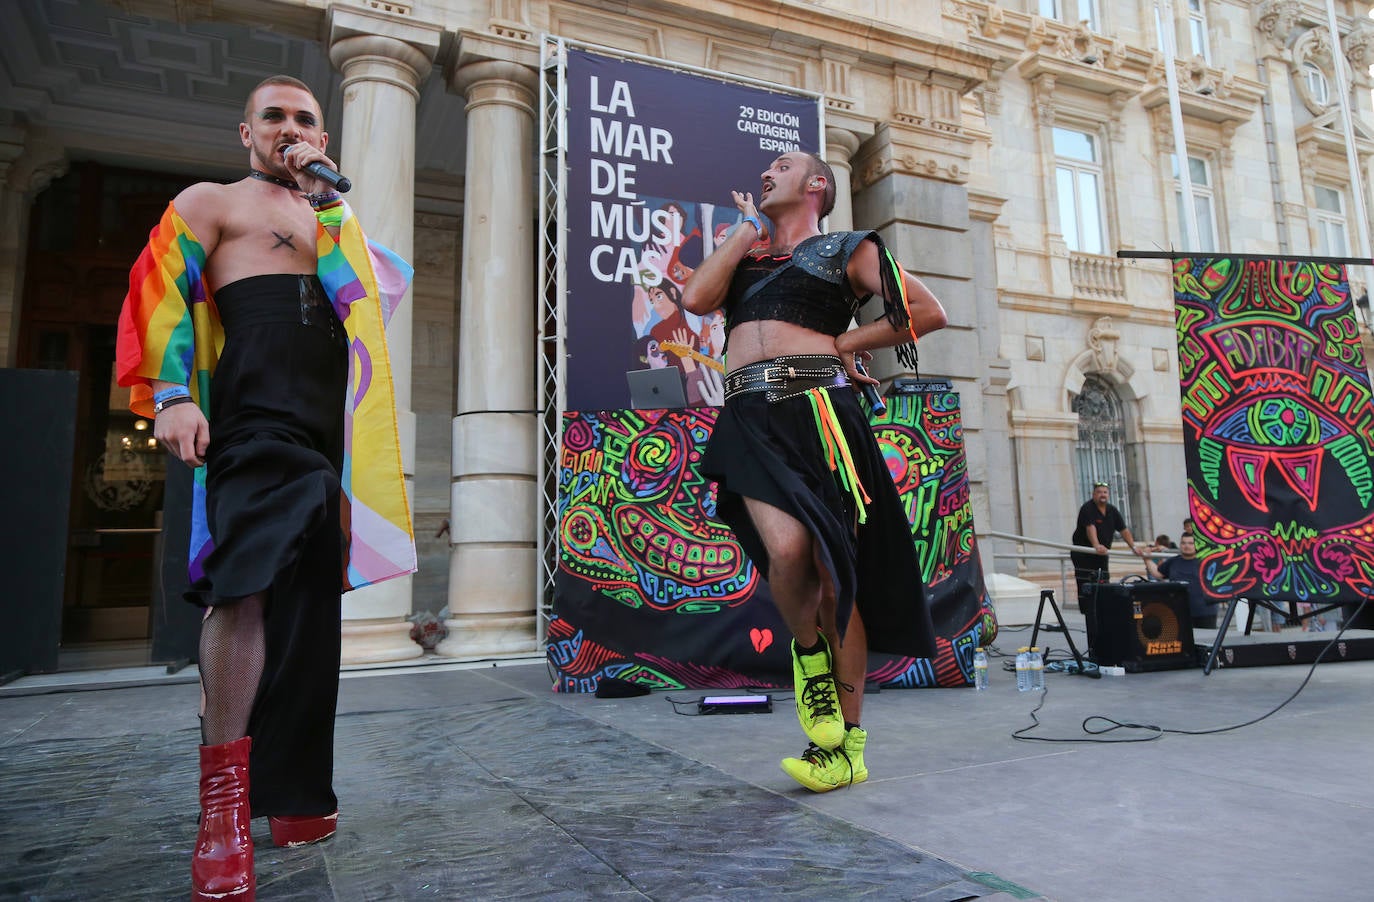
494	573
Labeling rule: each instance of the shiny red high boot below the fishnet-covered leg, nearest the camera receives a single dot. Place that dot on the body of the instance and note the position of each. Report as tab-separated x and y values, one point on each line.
222	867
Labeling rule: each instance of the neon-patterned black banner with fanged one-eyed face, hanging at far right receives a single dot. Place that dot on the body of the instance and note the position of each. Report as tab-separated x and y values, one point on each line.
1279	430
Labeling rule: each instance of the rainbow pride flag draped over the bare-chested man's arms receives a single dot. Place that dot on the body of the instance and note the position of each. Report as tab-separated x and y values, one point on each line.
170	329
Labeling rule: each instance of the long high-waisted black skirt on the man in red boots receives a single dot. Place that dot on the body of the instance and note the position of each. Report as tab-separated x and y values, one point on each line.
274	503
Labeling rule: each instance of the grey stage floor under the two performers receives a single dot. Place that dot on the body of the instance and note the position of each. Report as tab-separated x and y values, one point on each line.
479	783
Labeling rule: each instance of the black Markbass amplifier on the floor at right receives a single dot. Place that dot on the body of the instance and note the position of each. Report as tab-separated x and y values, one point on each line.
1142	626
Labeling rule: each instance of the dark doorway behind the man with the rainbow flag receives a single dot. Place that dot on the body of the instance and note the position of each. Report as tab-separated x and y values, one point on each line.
87	229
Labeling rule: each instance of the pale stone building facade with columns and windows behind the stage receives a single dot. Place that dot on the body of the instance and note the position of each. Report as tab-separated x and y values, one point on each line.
1006	152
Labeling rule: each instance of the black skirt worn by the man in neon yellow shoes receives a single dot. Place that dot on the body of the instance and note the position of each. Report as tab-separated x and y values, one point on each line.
773	453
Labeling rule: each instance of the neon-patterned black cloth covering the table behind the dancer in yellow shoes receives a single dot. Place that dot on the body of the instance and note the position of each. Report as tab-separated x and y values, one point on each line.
653	589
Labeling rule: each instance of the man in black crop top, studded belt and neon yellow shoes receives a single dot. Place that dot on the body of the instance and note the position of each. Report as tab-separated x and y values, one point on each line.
803	482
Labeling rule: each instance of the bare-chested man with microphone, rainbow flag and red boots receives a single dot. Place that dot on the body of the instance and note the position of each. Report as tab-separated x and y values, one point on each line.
255	335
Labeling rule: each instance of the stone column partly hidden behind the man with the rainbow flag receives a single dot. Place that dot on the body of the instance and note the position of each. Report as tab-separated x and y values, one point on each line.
384	58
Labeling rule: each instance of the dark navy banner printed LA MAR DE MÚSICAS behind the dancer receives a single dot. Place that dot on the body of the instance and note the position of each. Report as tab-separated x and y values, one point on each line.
653	156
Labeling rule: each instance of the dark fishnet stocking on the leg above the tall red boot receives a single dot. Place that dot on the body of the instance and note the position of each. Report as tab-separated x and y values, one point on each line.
233	650
